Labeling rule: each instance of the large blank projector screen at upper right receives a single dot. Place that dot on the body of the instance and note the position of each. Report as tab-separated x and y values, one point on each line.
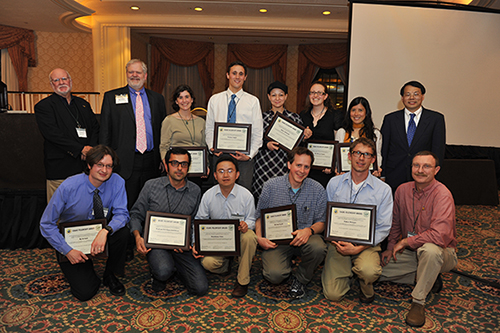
454	53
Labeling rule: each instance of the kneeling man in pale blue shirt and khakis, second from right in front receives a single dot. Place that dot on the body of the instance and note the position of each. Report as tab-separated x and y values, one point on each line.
358	186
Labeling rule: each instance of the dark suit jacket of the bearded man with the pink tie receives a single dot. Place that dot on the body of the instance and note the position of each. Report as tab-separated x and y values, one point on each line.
118	127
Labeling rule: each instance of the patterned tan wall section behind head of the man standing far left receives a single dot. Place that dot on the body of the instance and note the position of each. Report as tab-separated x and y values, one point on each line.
71	51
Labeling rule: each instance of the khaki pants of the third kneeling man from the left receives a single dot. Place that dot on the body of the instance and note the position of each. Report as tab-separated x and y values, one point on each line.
219	265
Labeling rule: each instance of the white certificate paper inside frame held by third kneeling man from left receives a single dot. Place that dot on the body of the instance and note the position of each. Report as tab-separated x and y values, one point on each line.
217	237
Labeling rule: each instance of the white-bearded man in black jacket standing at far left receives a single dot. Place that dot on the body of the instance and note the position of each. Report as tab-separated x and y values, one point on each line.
69	127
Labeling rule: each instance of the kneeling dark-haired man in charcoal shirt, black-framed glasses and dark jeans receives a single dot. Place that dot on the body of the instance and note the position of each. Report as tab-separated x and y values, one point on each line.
176	195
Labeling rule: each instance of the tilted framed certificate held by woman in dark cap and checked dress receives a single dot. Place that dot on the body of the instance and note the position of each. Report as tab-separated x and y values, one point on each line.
284	131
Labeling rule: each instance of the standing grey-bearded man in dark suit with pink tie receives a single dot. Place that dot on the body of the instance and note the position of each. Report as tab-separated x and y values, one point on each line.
121	130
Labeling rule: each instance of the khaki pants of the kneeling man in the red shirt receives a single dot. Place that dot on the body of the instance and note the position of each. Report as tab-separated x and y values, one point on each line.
427	262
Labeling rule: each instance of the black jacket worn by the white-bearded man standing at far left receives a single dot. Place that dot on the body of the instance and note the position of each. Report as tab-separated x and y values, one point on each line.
62	146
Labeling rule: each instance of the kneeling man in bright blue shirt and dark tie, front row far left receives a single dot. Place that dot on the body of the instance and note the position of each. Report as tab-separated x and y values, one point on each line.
74	201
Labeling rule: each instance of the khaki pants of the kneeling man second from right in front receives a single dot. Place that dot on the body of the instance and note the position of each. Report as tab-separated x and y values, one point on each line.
339	270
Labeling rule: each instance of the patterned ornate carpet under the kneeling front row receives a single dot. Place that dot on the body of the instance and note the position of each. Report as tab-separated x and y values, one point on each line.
34	297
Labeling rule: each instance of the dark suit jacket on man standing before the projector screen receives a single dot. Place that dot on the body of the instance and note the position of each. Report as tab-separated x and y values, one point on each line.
397	155
